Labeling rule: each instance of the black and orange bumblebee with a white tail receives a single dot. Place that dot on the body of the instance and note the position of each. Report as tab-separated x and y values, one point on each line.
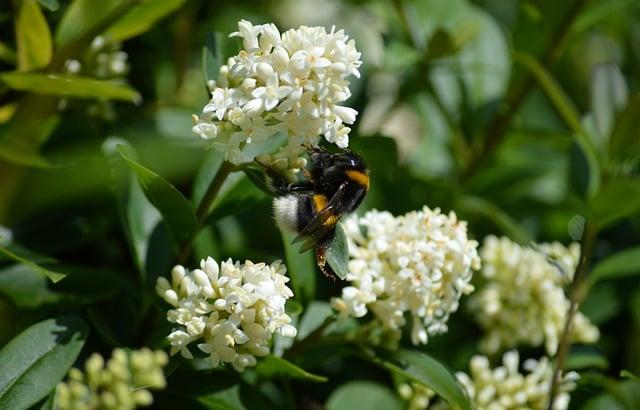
336	185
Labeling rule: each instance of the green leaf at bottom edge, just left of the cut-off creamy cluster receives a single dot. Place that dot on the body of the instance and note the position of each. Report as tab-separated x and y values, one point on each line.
424	369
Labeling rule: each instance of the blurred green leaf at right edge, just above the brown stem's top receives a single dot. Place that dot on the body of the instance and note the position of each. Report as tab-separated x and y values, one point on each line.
618	199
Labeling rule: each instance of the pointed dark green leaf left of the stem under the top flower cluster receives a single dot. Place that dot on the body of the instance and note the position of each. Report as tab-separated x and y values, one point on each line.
176	211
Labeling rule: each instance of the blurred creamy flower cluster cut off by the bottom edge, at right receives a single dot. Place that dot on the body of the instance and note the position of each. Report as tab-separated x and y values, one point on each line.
505	388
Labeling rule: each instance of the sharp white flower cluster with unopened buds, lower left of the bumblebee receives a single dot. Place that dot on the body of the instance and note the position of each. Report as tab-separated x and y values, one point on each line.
232	309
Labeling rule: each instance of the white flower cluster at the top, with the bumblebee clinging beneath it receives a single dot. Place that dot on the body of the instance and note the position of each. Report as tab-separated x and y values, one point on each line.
291	82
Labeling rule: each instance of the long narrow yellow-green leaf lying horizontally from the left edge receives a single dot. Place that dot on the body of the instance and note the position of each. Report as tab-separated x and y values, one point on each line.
70	86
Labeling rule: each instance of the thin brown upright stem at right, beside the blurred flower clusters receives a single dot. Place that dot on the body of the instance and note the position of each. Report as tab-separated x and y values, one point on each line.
577	293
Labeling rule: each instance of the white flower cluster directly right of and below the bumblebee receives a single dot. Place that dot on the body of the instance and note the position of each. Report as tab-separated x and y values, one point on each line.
420	263
